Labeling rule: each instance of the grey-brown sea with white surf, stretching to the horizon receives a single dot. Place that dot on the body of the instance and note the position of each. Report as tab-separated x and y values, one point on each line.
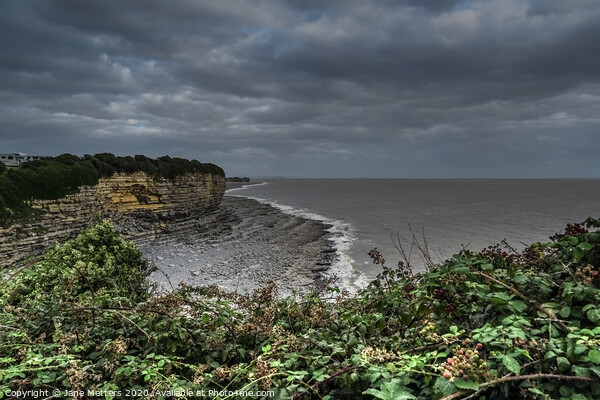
436	217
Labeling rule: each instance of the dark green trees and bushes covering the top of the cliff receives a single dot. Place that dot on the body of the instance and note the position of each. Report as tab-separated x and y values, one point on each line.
56	177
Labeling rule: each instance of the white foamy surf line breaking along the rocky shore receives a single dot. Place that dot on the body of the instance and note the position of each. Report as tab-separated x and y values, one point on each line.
340	234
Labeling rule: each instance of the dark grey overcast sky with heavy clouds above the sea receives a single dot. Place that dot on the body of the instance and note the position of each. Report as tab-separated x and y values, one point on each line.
309	88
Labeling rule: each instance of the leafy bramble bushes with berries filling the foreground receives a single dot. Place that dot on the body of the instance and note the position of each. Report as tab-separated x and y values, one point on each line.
496	324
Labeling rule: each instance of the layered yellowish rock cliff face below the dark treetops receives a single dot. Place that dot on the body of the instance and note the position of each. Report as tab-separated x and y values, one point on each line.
140	207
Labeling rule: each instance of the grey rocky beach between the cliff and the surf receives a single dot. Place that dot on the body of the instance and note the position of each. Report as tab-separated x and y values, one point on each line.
243	246
